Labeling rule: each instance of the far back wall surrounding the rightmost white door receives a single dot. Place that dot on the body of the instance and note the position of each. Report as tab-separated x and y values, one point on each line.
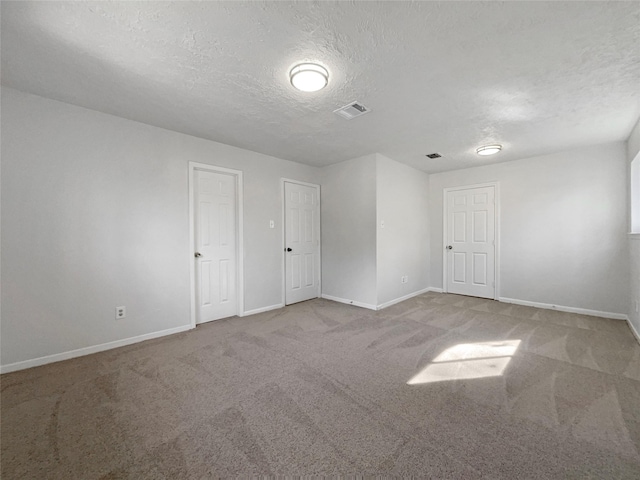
563	223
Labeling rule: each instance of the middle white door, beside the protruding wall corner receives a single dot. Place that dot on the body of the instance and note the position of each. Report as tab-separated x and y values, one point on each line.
302	242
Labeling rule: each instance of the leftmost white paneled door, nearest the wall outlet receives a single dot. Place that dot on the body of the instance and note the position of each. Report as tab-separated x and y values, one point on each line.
215	246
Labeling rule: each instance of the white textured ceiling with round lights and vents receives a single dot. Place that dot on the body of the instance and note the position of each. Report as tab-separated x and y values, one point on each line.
442	77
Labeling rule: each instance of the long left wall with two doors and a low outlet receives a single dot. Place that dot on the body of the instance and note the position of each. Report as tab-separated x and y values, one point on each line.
95	215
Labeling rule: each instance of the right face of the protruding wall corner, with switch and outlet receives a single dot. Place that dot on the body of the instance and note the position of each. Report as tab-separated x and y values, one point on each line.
403	243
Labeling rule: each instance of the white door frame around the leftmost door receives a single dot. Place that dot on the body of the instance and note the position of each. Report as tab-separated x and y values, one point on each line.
193	166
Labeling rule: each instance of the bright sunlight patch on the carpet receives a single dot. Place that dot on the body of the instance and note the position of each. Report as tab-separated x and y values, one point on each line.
467	361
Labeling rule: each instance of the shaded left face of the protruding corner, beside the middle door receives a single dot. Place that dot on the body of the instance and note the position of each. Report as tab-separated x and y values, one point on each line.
349	230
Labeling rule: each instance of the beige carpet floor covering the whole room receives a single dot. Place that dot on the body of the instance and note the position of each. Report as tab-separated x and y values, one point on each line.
440	386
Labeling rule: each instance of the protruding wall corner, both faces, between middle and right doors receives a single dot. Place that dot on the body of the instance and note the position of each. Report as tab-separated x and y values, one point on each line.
363	262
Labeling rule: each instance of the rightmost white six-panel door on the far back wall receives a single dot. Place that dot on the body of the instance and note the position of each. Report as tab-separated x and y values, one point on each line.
470	242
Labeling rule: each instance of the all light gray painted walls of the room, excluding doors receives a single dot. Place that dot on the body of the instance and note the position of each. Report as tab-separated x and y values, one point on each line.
95	215
